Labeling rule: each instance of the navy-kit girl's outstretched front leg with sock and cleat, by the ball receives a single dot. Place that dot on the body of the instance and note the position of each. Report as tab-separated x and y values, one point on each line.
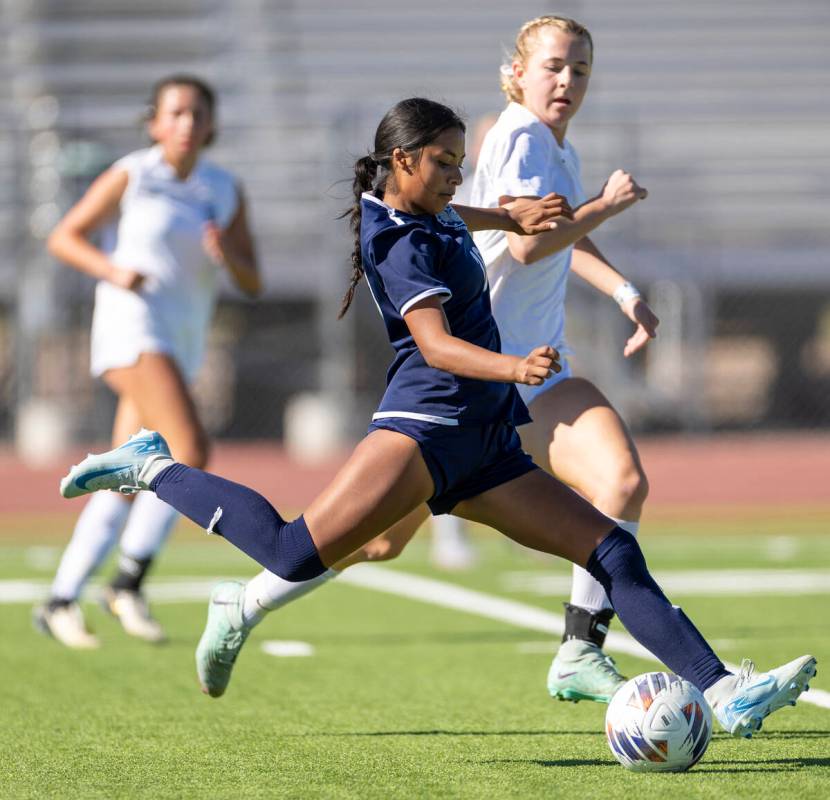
536	511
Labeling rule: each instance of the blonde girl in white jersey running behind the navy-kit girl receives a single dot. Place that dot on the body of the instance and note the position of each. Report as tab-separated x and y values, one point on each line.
576	430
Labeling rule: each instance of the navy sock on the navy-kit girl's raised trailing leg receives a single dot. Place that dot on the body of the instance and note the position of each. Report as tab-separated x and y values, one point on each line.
243	517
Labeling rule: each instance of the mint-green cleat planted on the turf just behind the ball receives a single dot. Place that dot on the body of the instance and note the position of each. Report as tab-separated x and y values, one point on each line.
581	671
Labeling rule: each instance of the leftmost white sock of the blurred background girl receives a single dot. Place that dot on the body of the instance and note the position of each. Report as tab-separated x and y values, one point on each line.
95	534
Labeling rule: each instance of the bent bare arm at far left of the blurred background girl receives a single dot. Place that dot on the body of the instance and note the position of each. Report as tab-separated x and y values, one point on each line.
69	241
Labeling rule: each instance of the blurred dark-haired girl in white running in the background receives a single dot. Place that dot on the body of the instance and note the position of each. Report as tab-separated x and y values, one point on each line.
170	220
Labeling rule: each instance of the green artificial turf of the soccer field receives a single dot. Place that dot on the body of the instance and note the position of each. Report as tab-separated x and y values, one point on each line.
401	699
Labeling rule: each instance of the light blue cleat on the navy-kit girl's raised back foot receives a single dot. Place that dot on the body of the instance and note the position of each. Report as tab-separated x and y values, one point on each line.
120	469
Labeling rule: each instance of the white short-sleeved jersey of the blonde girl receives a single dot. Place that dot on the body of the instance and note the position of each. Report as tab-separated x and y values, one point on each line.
520	156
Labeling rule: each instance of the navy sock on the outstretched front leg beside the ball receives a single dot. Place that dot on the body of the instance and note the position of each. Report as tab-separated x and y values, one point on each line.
662	628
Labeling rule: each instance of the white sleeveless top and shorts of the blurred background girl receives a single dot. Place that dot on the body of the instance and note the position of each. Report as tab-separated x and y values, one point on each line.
159	233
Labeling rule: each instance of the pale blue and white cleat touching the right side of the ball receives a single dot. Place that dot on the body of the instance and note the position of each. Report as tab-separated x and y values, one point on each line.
746	699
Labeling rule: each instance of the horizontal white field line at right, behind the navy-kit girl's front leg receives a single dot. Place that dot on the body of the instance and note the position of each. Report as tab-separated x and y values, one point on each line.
692	582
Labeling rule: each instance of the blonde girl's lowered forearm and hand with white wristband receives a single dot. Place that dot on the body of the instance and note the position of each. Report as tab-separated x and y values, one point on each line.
591	265
